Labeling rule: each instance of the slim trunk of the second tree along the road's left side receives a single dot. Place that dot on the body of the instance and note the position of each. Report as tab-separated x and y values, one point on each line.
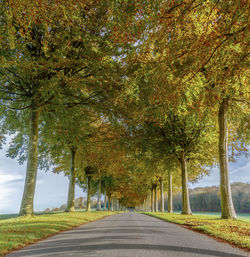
71	190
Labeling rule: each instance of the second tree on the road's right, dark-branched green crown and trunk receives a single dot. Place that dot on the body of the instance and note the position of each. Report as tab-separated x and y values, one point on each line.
185	136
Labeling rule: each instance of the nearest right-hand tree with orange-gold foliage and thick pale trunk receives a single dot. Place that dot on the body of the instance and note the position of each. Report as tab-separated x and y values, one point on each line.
209	42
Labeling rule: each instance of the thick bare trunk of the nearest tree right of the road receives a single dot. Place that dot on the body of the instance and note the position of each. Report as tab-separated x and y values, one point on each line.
227	207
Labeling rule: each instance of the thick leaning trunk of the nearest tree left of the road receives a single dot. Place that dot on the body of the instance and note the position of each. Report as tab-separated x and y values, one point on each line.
27	208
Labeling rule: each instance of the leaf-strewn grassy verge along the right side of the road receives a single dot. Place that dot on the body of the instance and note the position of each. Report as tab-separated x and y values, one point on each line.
236	232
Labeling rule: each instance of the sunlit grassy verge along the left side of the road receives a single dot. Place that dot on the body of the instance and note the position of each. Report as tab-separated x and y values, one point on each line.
18	232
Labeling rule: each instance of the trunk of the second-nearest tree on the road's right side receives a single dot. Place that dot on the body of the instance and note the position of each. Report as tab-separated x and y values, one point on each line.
185	195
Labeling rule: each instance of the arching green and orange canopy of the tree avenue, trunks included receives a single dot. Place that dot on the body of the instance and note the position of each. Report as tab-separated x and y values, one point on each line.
131	94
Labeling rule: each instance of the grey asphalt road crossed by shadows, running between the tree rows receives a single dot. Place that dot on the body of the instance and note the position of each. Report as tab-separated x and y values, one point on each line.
129	235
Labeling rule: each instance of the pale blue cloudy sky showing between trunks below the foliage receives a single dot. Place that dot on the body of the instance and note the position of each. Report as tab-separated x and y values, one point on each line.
52	189
